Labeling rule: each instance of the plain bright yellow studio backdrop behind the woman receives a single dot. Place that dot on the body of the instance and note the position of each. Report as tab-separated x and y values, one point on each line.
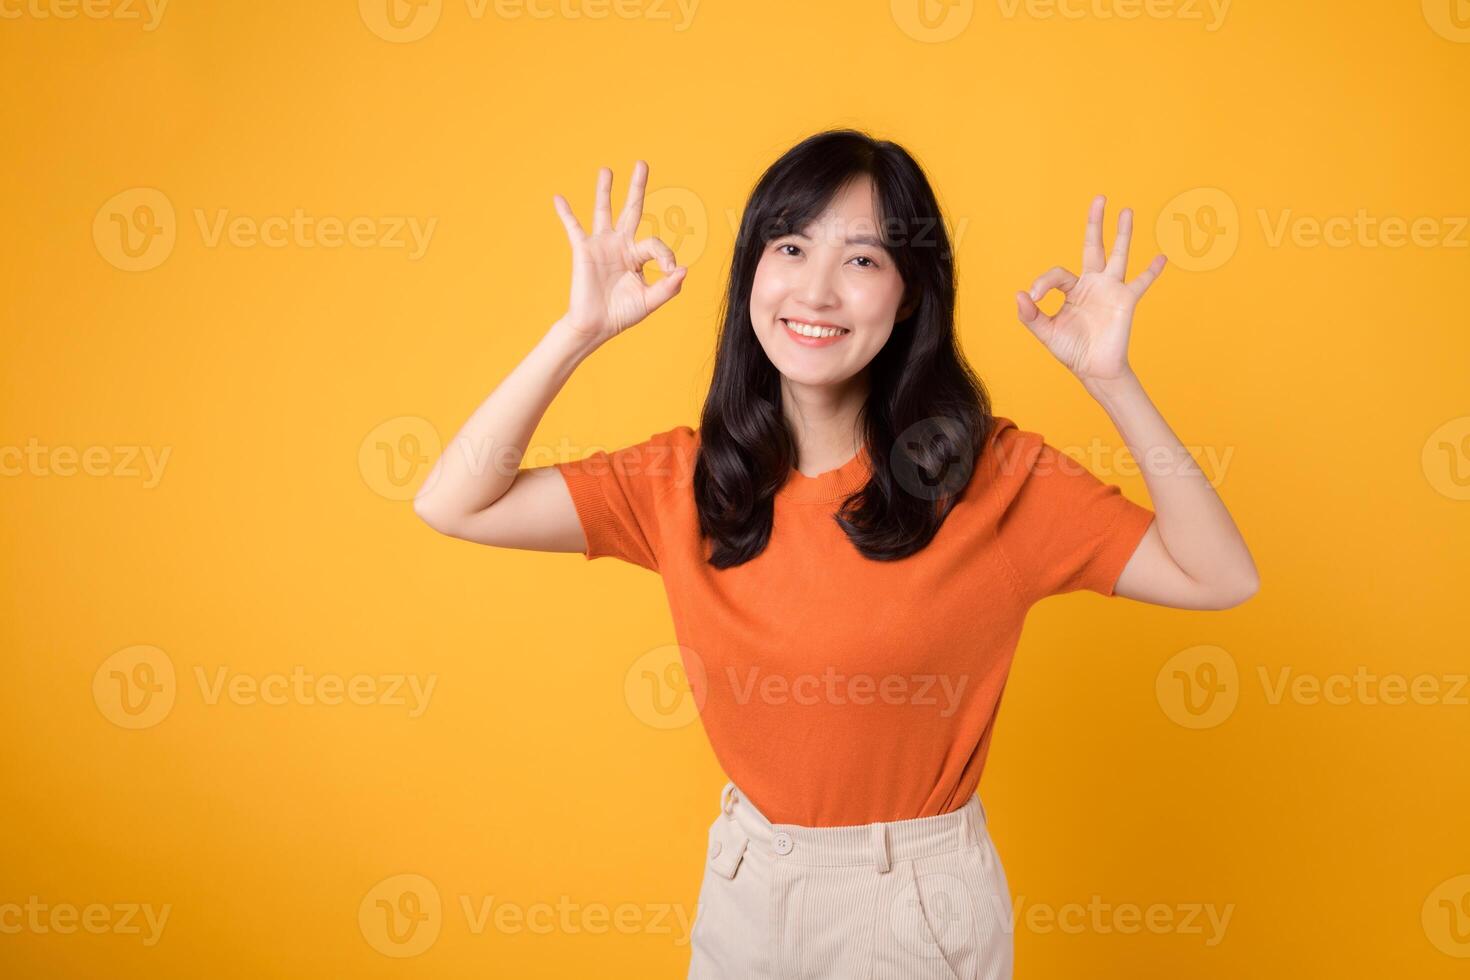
1327	380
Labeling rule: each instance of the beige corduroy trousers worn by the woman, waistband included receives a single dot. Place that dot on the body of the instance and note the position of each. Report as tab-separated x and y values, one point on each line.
906	900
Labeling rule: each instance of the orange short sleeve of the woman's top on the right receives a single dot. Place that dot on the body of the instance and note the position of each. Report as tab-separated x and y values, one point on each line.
1065	530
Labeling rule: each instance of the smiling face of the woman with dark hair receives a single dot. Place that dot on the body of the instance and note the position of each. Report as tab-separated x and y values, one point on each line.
834	274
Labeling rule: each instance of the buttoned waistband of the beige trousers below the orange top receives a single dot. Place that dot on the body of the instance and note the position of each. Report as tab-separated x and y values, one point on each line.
875	844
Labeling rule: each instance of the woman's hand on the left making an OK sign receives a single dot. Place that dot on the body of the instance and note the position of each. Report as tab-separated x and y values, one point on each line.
609	293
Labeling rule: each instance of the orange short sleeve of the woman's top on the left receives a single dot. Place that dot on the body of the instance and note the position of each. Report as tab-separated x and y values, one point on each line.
618	496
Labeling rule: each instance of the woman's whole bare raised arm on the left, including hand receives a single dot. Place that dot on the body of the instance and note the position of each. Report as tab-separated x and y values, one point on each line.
477	490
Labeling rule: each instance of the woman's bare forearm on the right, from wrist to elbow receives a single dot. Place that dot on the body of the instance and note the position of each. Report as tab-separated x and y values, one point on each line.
1193	521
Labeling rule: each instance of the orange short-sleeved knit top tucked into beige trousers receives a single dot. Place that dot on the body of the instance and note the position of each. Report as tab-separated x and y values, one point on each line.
837	690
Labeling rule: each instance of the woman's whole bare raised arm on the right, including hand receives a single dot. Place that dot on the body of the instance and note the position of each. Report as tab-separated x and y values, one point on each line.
1193	556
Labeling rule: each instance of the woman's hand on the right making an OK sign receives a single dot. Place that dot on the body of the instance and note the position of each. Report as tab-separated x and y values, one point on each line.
1090	333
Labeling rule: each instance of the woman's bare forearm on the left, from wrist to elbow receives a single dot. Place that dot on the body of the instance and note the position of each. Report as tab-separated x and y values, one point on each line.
483	459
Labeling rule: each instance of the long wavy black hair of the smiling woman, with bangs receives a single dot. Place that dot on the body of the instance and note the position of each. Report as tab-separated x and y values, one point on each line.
927	415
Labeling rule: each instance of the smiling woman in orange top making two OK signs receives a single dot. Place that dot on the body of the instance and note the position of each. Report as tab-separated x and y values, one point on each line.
849	543
